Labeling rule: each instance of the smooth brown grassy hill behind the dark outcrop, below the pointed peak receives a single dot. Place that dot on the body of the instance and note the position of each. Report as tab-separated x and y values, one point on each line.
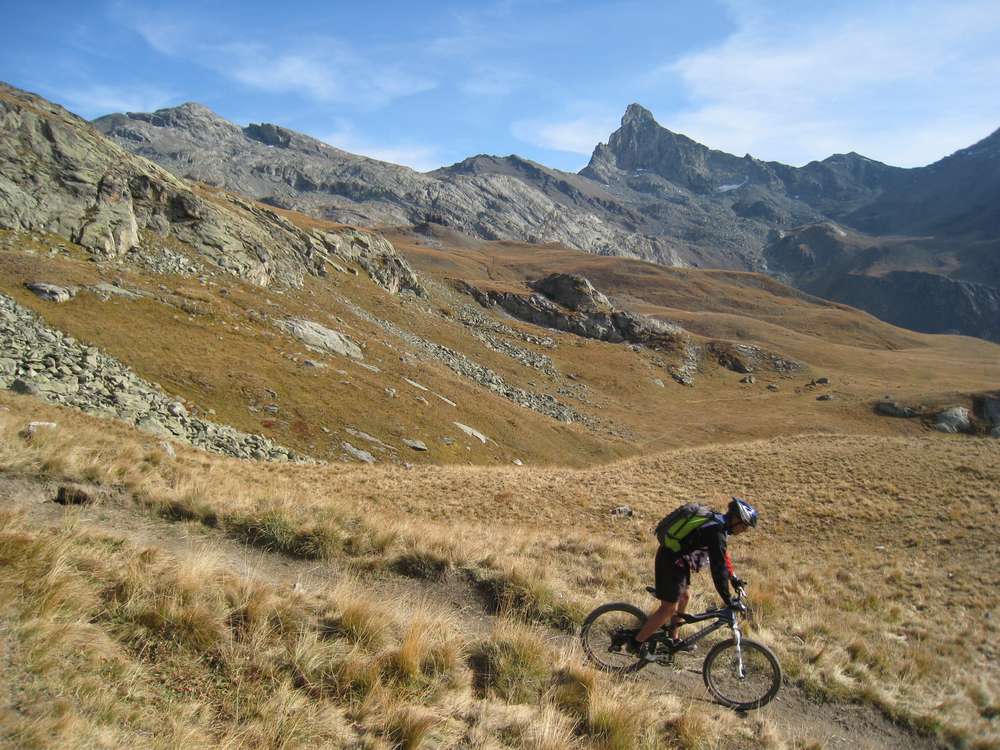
867	356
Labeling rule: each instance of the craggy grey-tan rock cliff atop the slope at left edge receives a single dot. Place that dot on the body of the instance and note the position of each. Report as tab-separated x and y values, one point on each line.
59	175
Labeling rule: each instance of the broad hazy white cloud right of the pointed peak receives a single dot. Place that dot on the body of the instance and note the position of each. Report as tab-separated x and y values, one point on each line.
903	84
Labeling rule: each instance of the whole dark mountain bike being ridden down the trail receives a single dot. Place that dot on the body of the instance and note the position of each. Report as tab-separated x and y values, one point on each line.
739	672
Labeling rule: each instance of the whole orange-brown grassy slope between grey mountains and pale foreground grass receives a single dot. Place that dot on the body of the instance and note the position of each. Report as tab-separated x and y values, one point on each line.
213	345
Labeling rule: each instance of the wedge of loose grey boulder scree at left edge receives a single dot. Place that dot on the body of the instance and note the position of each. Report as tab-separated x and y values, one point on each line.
38	360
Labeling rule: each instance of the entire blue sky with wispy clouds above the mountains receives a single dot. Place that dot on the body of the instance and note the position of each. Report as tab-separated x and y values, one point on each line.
429	83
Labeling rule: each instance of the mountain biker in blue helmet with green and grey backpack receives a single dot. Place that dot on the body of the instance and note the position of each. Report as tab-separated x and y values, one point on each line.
686	535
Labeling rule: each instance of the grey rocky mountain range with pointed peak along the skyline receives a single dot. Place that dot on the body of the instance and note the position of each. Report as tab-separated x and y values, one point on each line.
647	193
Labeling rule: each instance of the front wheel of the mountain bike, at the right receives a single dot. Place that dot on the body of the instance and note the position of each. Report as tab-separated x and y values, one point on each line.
756	686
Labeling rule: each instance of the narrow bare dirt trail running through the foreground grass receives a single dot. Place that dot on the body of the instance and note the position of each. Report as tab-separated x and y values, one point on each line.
800	721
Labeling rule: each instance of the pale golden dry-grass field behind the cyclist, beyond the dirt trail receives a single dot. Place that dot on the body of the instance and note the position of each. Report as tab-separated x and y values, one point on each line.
847	623
